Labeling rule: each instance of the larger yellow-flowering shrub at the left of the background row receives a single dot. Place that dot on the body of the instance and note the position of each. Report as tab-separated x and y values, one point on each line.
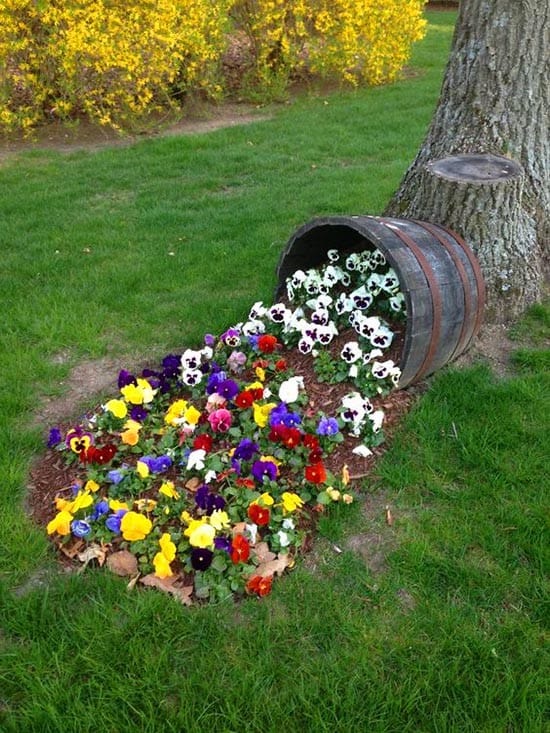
110	60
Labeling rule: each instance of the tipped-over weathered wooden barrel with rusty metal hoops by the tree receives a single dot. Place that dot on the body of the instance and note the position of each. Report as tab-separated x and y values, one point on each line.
438	273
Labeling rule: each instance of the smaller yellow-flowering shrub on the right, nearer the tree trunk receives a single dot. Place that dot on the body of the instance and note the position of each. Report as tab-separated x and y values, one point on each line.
353	41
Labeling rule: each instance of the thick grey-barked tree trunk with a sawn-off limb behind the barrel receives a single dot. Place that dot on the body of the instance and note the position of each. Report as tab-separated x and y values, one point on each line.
495	101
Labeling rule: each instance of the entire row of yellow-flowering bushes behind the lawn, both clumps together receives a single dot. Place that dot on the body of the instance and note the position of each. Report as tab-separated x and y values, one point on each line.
114	60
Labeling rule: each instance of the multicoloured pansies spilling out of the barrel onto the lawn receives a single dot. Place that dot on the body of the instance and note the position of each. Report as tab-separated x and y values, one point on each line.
204	476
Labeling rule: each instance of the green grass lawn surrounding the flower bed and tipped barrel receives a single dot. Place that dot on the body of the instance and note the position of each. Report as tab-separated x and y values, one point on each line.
134	252
